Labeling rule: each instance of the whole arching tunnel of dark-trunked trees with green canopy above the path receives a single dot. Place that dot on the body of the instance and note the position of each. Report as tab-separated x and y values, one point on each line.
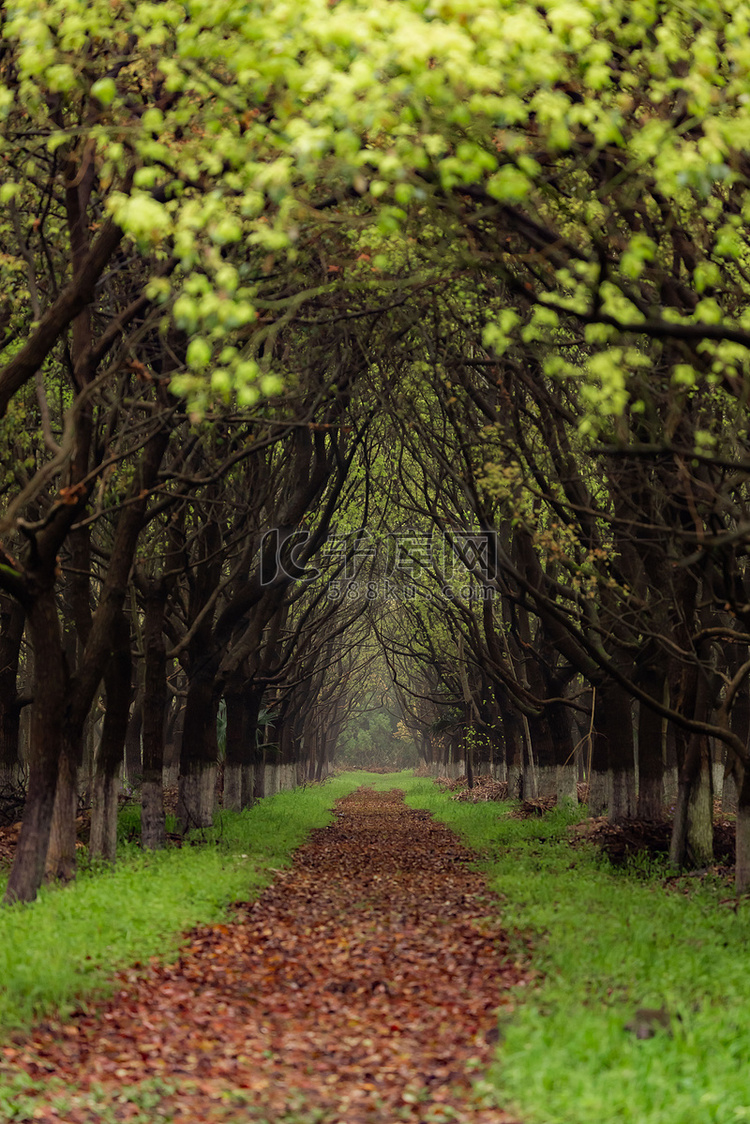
317	410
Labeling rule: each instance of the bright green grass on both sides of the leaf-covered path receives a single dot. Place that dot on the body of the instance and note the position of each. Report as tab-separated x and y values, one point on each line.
606	942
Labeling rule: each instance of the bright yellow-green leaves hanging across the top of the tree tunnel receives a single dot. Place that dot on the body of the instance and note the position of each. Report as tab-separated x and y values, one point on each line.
218	130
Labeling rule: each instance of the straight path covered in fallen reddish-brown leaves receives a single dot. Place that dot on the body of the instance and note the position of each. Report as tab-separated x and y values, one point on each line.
362	987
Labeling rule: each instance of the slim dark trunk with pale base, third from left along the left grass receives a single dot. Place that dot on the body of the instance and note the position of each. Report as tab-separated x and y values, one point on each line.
109	758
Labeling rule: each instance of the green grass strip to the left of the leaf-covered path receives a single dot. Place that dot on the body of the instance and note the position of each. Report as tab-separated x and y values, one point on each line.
64	948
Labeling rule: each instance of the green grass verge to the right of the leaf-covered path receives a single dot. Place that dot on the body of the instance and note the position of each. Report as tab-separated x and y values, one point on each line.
609	942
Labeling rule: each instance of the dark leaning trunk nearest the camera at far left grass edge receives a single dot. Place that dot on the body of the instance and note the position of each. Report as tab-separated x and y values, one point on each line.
51	693
